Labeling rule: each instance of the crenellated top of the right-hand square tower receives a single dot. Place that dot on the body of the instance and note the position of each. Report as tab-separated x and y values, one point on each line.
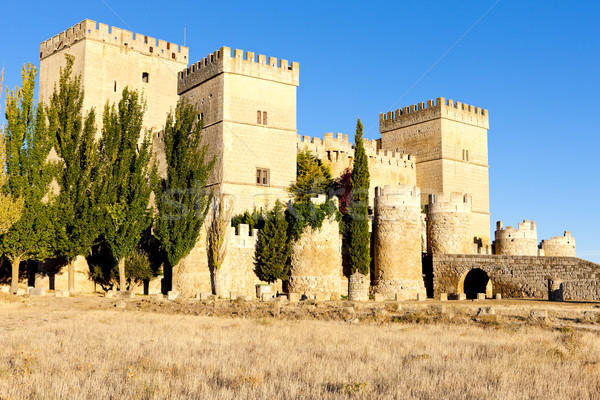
430	110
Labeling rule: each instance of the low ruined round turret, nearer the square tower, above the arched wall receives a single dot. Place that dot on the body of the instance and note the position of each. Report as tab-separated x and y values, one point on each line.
516	242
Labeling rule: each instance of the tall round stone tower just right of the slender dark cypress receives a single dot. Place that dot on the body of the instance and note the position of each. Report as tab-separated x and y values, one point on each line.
397	242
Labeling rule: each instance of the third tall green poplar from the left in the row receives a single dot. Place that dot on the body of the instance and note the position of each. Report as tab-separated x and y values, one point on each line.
127	178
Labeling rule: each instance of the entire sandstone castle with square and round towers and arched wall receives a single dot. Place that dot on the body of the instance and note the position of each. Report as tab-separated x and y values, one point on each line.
429	175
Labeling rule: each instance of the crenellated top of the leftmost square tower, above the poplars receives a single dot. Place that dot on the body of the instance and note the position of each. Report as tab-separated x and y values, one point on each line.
91	30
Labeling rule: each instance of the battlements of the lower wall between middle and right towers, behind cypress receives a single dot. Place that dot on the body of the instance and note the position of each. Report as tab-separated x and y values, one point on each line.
337	147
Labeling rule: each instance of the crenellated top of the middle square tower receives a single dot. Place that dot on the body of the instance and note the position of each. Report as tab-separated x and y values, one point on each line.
222	61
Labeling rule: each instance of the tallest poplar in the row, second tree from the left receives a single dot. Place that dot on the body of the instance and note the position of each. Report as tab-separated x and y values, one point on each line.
76	147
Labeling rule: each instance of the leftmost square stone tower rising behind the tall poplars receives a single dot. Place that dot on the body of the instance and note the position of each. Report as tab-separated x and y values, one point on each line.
108	59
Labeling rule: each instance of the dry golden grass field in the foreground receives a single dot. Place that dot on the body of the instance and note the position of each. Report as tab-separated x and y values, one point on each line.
60	349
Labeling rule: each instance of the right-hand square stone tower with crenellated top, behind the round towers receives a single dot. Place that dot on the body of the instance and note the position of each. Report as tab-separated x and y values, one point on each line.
449	141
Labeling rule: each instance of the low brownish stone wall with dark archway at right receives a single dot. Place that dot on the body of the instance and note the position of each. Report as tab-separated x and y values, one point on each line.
519	276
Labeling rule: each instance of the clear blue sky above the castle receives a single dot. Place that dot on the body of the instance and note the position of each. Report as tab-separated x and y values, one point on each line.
534	64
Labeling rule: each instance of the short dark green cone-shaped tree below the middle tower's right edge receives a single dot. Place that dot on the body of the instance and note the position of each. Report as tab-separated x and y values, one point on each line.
273	250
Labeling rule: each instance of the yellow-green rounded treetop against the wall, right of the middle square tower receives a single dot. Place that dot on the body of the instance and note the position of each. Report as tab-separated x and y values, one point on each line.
312	177
